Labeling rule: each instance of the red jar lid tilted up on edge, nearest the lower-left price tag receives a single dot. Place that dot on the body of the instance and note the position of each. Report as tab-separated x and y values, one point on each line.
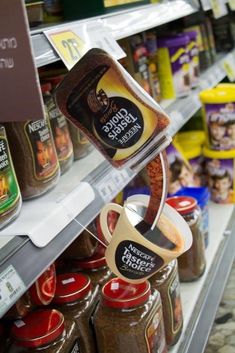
43	290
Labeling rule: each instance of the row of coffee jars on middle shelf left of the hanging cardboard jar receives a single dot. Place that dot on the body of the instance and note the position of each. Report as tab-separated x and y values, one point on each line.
34	153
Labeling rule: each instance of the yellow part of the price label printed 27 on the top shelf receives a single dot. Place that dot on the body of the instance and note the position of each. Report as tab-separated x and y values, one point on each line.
69	46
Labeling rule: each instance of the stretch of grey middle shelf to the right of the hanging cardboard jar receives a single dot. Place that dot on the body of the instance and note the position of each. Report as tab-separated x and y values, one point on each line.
182	109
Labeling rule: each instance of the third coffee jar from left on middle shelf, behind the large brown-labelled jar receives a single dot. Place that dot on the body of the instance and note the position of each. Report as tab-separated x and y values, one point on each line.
60	130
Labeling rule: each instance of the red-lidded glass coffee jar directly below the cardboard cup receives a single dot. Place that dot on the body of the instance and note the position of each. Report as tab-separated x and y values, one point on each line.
129	319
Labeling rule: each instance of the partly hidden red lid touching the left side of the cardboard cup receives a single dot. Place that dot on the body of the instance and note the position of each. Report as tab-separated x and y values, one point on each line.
95	261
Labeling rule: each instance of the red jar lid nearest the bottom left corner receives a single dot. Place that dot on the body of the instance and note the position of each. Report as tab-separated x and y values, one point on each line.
38	328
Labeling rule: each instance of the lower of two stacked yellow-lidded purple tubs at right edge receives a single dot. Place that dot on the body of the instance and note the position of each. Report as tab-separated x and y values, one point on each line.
220	175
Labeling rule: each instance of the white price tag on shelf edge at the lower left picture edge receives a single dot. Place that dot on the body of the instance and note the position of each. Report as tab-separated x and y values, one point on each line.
11	288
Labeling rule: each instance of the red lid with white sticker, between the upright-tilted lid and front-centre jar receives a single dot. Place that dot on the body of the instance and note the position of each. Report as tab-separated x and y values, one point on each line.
71	287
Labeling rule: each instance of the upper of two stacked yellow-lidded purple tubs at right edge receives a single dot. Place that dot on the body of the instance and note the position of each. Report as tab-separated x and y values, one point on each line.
219	117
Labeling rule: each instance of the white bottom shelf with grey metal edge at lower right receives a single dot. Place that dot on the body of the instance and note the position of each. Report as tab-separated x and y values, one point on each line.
201	298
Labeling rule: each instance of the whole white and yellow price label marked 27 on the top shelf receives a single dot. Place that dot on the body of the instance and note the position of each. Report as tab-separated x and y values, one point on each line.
72	42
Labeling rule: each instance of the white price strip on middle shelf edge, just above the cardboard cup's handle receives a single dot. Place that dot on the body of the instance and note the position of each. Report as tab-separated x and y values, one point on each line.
109	185
